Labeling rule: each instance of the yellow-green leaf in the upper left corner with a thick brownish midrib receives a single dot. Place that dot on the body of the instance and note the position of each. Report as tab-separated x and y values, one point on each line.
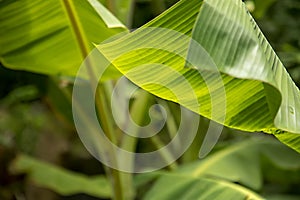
53	37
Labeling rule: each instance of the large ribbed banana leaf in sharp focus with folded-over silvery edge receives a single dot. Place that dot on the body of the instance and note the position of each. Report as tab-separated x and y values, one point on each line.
235	79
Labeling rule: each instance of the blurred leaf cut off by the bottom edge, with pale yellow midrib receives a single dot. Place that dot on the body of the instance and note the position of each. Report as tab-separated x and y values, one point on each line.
174	186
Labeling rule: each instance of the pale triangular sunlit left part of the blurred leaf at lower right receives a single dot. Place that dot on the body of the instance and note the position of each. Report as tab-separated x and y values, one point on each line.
237	163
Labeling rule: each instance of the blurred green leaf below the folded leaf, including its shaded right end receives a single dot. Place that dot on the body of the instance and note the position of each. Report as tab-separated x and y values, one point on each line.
242	162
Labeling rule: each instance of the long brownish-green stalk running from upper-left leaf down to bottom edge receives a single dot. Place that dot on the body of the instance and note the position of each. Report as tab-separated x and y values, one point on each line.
100	101
